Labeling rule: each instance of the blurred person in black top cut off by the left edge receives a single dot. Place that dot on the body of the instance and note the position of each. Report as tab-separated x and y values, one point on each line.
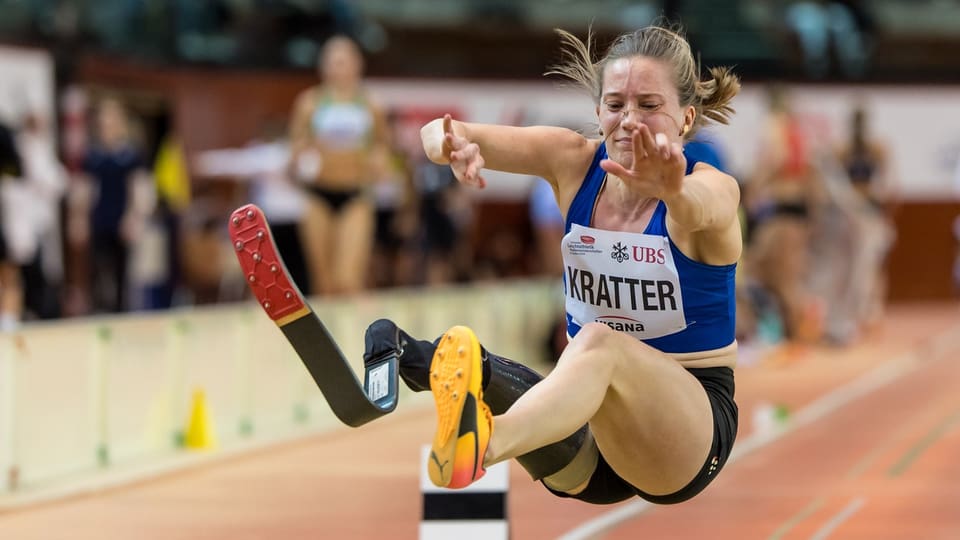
11	291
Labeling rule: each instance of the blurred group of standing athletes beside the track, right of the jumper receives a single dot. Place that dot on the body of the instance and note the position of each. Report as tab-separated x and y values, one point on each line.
818	228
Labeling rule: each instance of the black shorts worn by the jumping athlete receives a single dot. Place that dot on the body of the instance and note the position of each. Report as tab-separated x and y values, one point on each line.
607	487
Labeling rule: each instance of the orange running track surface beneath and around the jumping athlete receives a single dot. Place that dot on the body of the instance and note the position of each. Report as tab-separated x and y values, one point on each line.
869	451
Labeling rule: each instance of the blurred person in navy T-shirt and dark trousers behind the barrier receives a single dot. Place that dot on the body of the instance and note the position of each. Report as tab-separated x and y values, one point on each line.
121	199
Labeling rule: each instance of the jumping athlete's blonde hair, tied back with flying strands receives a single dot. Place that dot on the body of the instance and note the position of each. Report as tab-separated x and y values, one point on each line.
710	97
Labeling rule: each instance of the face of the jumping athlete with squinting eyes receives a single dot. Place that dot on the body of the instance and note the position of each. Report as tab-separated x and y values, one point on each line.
637	91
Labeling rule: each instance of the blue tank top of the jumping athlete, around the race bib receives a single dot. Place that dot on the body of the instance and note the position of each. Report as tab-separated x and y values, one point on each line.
707	291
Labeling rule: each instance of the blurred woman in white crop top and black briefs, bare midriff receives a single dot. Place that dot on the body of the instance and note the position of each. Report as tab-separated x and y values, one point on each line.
338	139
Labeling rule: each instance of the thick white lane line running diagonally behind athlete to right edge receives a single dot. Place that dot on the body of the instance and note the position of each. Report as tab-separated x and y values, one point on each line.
819	408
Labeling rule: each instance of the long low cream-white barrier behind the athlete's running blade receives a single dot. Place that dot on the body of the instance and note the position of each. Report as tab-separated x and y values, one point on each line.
87	395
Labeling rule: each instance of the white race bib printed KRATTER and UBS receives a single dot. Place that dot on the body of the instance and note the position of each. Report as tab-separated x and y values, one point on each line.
627	281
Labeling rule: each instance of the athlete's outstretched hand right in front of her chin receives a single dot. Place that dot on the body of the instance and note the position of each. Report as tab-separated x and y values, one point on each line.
658	166
